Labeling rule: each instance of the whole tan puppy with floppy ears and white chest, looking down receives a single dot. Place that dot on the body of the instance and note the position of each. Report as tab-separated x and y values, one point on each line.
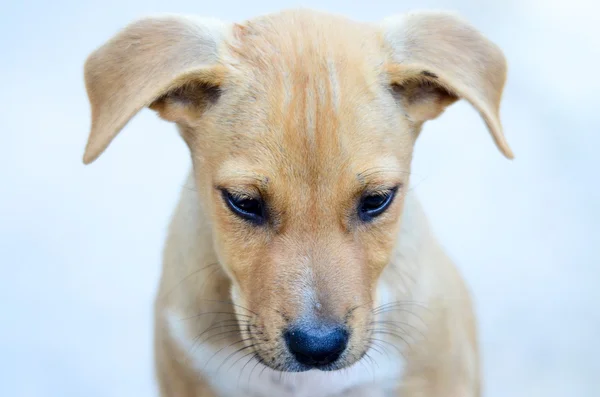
298	264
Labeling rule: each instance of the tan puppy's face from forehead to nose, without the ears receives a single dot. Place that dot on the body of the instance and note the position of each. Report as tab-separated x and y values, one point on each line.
307	168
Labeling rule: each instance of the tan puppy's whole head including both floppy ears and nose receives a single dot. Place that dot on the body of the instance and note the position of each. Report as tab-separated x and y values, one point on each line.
301	127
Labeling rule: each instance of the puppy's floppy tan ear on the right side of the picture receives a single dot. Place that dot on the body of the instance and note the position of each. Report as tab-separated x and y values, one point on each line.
438	58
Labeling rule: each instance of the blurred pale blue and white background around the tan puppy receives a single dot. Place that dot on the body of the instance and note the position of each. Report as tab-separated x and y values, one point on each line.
80	247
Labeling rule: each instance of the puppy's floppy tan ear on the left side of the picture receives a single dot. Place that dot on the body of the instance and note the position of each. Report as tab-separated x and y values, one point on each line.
168	63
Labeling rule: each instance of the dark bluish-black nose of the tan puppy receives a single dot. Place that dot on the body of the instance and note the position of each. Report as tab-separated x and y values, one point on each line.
316	345
